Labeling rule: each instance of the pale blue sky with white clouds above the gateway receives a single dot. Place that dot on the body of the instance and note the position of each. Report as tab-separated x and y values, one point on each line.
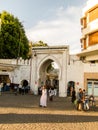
55	22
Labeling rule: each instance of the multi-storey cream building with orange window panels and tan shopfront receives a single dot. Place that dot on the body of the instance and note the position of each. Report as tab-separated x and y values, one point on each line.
89	46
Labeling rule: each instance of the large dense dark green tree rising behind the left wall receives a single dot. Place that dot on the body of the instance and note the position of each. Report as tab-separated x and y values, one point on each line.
13	41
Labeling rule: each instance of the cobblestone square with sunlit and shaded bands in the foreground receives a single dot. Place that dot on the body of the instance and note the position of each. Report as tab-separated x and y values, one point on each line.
22	112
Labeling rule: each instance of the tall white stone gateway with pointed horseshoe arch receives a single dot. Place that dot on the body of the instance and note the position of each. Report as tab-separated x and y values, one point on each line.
41	59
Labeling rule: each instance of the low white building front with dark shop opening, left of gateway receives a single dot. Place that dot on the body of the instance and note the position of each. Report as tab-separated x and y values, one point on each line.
14	71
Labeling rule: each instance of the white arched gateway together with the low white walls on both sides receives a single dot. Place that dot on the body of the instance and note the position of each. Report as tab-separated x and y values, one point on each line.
68	73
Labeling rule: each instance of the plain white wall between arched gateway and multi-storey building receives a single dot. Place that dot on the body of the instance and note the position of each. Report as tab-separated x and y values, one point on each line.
75	71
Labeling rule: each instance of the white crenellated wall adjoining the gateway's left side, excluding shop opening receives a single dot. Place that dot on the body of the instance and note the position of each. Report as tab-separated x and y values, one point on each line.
21	70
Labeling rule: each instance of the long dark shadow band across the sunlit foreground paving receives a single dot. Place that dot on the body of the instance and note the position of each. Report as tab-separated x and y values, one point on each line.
12	118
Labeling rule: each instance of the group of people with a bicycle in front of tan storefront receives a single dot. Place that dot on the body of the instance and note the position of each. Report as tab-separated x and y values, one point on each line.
81	100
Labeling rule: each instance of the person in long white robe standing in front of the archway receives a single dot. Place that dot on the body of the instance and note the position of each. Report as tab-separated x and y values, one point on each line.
43	98
